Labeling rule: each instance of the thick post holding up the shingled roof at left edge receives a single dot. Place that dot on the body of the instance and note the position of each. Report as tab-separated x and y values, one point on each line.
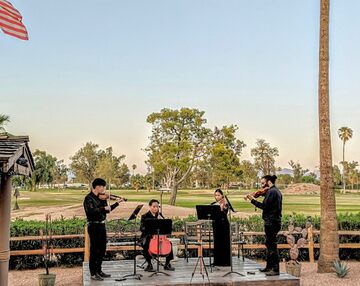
5	207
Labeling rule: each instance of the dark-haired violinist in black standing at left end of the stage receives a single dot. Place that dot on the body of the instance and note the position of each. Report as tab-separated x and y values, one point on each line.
96	208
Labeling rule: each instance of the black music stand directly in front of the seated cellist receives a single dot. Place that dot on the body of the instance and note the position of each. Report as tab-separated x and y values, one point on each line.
158	227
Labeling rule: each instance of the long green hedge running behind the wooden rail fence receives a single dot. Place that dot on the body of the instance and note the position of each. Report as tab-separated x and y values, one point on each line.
21	227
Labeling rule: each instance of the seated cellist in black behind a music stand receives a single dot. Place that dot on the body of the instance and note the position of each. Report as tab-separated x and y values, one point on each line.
145	238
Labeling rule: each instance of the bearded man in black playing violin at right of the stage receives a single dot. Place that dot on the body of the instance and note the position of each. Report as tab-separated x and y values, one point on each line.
272	208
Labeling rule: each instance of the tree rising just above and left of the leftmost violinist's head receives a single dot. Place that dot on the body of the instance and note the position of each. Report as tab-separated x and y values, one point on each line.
84	163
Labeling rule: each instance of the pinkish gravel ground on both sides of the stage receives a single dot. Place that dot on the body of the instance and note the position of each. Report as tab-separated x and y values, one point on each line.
73	276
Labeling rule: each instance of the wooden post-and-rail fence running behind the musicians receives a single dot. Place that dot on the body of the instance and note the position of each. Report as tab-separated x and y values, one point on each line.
86	249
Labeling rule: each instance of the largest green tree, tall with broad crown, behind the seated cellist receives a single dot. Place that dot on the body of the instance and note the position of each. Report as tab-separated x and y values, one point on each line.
177	141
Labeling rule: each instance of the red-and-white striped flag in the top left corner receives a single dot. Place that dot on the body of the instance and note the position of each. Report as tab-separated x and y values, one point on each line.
11	21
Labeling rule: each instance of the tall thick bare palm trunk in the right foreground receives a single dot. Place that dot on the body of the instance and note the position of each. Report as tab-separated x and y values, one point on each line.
329	239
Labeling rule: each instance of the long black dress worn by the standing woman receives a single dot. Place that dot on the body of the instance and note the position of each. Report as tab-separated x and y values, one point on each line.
221	239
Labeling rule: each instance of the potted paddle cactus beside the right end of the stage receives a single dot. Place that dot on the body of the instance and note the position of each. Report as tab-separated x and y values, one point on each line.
293	266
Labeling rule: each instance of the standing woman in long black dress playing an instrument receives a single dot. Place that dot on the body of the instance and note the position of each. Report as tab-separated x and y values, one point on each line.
221	229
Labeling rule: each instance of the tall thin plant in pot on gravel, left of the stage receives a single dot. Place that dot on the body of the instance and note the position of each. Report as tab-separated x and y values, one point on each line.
47	279
